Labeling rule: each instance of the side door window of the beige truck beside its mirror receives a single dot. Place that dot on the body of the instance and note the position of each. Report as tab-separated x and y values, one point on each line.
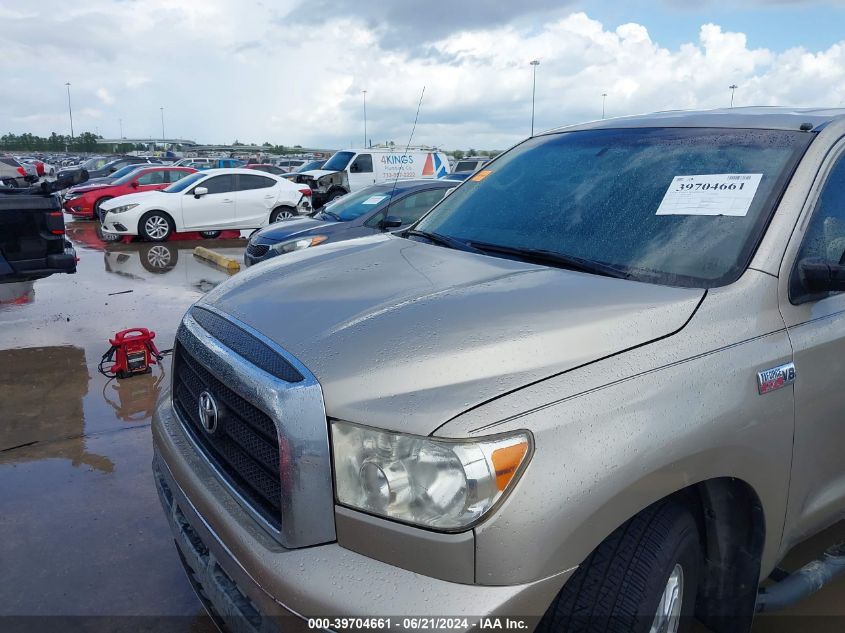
825	236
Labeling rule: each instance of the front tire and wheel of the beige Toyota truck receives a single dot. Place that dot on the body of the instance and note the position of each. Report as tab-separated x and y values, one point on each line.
646	570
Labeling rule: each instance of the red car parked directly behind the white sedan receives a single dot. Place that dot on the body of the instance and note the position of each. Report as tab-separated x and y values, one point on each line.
85	200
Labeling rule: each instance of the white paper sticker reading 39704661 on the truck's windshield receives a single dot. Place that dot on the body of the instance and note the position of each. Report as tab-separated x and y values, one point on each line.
711	194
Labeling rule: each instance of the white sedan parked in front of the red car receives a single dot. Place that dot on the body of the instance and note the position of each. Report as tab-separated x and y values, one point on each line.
208	201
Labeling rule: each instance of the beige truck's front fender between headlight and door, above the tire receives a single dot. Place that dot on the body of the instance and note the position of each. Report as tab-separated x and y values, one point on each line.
604	454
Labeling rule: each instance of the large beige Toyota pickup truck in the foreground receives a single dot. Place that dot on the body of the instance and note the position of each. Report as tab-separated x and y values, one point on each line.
597	388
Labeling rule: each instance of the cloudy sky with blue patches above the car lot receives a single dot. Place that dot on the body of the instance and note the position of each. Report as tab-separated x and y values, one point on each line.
292	71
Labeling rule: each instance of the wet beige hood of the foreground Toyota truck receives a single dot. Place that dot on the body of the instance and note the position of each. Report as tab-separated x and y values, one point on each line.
406	335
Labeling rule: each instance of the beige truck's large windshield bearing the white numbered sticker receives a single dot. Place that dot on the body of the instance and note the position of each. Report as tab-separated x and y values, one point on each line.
677	206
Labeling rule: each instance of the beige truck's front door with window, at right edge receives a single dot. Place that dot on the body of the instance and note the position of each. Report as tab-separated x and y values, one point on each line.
816	326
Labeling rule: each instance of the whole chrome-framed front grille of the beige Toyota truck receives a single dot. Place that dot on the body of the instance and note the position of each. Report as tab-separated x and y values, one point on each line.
270	446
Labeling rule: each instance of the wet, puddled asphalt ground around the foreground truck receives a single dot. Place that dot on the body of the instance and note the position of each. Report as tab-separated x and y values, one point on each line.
81	529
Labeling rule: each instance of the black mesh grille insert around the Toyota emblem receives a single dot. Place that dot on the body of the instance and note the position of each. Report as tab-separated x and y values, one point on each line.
245	446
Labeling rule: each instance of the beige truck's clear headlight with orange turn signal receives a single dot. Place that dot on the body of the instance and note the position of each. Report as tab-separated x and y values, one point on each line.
436	483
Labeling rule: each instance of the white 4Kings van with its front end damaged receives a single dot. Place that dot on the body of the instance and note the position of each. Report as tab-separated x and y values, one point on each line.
351	170
